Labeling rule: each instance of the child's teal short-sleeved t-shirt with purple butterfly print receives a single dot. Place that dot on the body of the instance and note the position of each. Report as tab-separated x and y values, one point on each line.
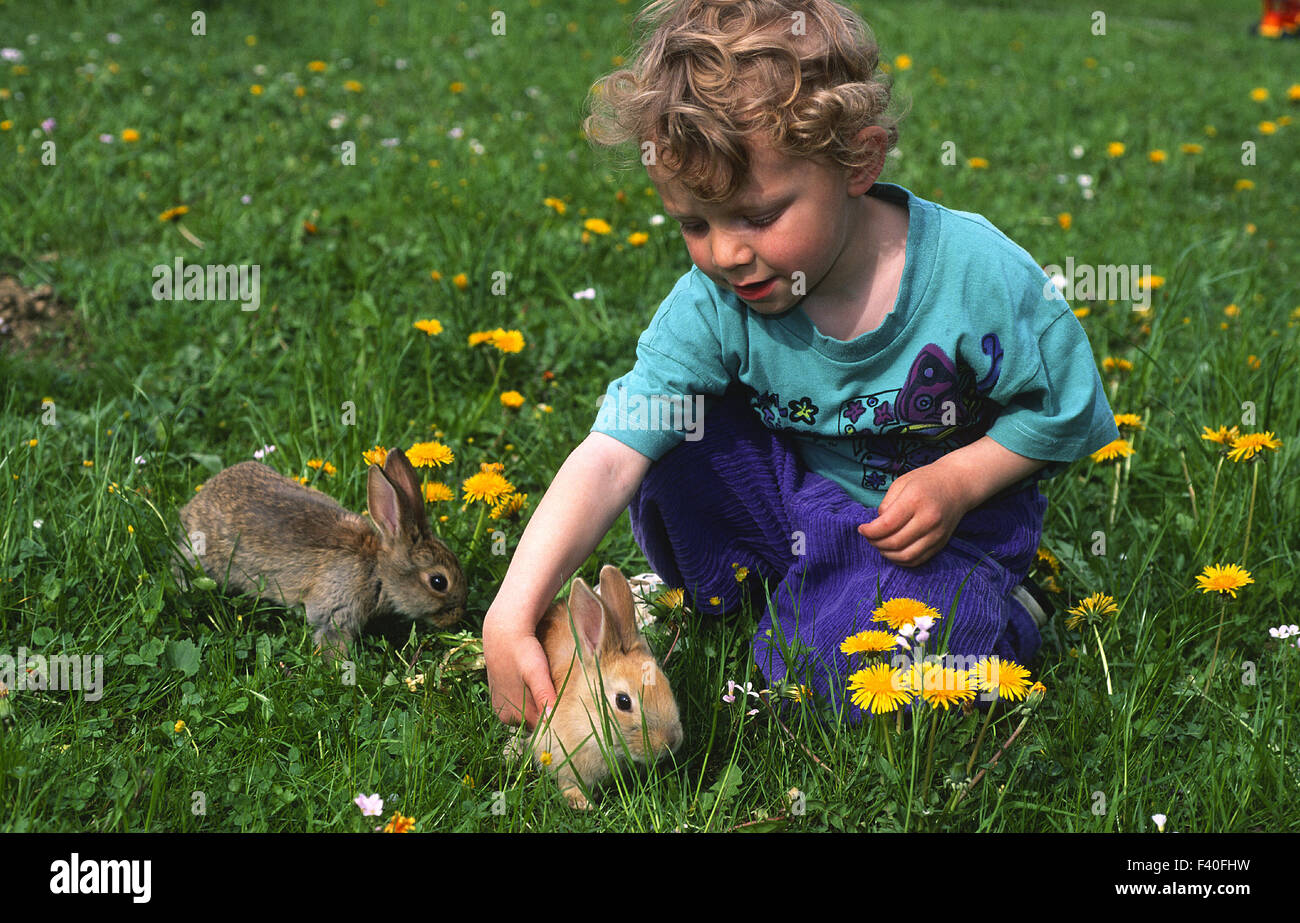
978	344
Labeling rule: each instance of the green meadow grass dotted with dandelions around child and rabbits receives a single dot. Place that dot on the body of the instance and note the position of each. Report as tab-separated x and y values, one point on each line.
237	127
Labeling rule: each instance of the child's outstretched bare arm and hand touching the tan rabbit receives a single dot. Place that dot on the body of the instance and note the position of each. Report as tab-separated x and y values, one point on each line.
591	489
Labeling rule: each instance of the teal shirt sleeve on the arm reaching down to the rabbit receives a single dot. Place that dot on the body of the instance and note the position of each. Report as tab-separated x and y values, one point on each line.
679	369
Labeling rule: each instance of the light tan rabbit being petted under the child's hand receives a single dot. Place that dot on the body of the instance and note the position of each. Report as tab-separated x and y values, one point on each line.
613	695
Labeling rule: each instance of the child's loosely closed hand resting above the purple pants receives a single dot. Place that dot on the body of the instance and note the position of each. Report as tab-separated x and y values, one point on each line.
918	515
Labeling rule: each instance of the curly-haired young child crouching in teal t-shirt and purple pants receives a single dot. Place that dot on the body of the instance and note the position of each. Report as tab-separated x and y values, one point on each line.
886	379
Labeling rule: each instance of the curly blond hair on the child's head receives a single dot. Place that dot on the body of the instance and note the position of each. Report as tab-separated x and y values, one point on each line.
714	76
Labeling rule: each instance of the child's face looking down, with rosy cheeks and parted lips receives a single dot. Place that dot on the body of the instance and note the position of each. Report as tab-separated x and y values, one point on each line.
781	236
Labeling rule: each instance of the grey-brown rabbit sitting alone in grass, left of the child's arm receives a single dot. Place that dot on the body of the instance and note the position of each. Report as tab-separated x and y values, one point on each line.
263	532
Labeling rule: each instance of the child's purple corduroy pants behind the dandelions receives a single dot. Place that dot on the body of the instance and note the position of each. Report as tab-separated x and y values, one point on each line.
740	496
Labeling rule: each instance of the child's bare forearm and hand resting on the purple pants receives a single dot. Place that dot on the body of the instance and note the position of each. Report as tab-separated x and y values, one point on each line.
922	508
